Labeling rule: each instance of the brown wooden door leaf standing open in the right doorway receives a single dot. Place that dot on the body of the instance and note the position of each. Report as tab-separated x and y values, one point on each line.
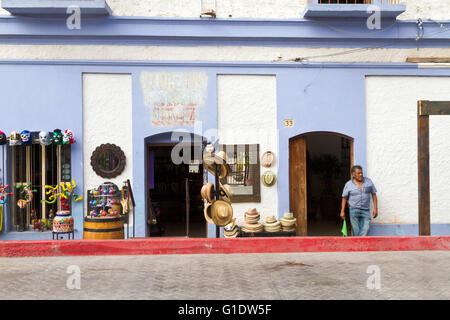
297	183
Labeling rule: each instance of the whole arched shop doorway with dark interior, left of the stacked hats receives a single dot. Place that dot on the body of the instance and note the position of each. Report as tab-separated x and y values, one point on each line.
174	177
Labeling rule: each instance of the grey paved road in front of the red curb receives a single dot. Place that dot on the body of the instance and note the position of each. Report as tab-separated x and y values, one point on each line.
348	275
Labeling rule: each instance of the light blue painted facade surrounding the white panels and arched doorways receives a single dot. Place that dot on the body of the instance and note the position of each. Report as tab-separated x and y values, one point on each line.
317	93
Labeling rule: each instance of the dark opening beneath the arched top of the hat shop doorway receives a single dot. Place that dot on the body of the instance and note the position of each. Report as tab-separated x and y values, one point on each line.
174	203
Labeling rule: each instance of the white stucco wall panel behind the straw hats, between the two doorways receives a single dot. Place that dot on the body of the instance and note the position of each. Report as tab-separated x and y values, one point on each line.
247	114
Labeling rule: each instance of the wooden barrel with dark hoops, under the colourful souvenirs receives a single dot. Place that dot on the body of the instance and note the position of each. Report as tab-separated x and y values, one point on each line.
103	228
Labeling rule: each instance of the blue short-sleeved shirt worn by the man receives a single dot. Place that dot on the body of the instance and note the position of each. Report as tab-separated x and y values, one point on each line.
359	198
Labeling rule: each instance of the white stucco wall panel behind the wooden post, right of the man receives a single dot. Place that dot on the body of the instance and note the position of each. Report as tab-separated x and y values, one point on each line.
392	146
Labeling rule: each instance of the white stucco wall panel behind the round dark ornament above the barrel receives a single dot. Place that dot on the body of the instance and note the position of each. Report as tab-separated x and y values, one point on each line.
107	118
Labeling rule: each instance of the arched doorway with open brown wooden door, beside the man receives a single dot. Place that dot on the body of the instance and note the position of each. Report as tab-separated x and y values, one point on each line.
319	166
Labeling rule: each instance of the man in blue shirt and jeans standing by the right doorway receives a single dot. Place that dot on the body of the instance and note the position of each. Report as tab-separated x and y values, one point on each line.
358	191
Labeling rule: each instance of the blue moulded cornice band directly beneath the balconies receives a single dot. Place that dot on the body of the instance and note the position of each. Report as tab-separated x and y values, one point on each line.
248	32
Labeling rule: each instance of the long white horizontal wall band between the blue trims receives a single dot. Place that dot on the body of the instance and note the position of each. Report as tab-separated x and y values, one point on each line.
225	53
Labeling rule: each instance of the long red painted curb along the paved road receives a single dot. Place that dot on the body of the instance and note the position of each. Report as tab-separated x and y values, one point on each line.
148	246
